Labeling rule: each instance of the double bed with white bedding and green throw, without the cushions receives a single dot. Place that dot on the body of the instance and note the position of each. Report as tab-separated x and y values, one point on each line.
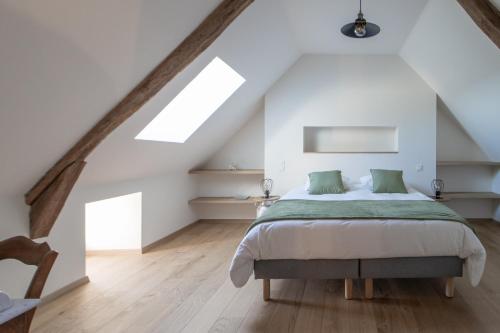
306	243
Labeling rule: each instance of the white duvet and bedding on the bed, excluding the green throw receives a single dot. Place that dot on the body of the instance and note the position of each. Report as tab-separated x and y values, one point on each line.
357	239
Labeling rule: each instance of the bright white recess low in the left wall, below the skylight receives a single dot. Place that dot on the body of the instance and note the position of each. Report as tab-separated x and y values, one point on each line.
114	224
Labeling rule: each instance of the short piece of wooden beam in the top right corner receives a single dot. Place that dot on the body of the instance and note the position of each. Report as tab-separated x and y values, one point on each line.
486	16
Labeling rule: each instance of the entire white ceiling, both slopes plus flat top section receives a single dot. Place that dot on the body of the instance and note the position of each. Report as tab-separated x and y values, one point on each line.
66	63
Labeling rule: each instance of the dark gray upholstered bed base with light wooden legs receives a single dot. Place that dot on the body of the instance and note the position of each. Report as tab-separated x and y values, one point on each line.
367	269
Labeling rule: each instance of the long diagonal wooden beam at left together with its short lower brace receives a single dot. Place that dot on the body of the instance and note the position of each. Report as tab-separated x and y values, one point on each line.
48	195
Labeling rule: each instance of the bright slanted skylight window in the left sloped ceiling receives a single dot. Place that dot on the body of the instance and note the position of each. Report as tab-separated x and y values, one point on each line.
194	104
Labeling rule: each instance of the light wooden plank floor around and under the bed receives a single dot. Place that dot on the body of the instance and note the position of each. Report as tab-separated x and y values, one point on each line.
183	286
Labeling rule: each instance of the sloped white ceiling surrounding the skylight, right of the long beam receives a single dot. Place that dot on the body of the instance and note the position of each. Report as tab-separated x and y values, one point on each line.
261	53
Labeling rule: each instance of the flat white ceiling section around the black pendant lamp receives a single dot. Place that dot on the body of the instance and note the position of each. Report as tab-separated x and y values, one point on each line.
316	24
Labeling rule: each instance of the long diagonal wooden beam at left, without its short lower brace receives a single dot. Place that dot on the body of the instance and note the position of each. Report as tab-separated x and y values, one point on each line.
190	48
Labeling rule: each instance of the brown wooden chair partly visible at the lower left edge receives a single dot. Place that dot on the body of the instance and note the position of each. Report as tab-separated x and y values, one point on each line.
29	253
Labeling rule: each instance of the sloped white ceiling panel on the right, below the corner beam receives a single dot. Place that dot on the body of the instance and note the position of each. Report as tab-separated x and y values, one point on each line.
463	66
